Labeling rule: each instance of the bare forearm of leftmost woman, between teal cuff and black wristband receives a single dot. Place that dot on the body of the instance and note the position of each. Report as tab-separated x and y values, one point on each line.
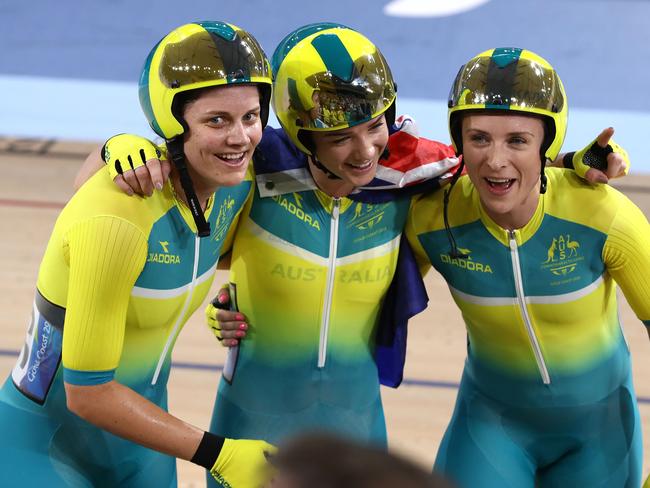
121	411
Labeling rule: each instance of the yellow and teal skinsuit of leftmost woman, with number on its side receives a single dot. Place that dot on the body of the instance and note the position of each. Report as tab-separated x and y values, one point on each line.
120	277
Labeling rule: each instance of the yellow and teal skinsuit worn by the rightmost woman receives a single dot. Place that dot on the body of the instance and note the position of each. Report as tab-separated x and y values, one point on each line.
546	392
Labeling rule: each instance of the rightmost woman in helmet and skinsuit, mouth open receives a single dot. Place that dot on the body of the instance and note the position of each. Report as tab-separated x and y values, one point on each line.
532	256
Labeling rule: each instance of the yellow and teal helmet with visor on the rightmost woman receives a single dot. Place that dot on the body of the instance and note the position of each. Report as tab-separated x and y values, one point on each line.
510	79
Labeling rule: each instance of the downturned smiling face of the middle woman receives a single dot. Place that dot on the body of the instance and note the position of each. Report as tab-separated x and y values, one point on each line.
352	153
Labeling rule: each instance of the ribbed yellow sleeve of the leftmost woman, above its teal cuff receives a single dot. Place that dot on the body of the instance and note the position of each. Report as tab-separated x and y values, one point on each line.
106	255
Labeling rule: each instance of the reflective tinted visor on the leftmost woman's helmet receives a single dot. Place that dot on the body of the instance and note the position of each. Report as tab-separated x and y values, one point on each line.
205	56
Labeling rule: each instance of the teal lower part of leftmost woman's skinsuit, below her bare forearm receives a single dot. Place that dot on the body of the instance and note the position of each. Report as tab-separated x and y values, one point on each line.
65	451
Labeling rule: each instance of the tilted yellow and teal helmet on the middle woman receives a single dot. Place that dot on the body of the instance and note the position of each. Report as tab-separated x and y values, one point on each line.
329	77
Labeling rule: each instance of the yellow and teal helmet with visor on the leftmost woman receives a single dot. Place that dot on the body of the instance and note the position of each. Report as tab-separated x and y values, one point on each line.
199	55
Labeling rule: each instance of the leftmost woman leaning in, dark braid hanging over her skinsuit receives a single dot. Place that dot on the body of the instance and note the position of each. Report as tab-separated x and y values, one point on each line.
87	398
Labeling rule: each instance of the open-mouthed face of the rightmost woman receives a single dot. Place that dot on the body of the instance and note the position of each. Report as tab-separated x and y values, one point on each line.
502	156
